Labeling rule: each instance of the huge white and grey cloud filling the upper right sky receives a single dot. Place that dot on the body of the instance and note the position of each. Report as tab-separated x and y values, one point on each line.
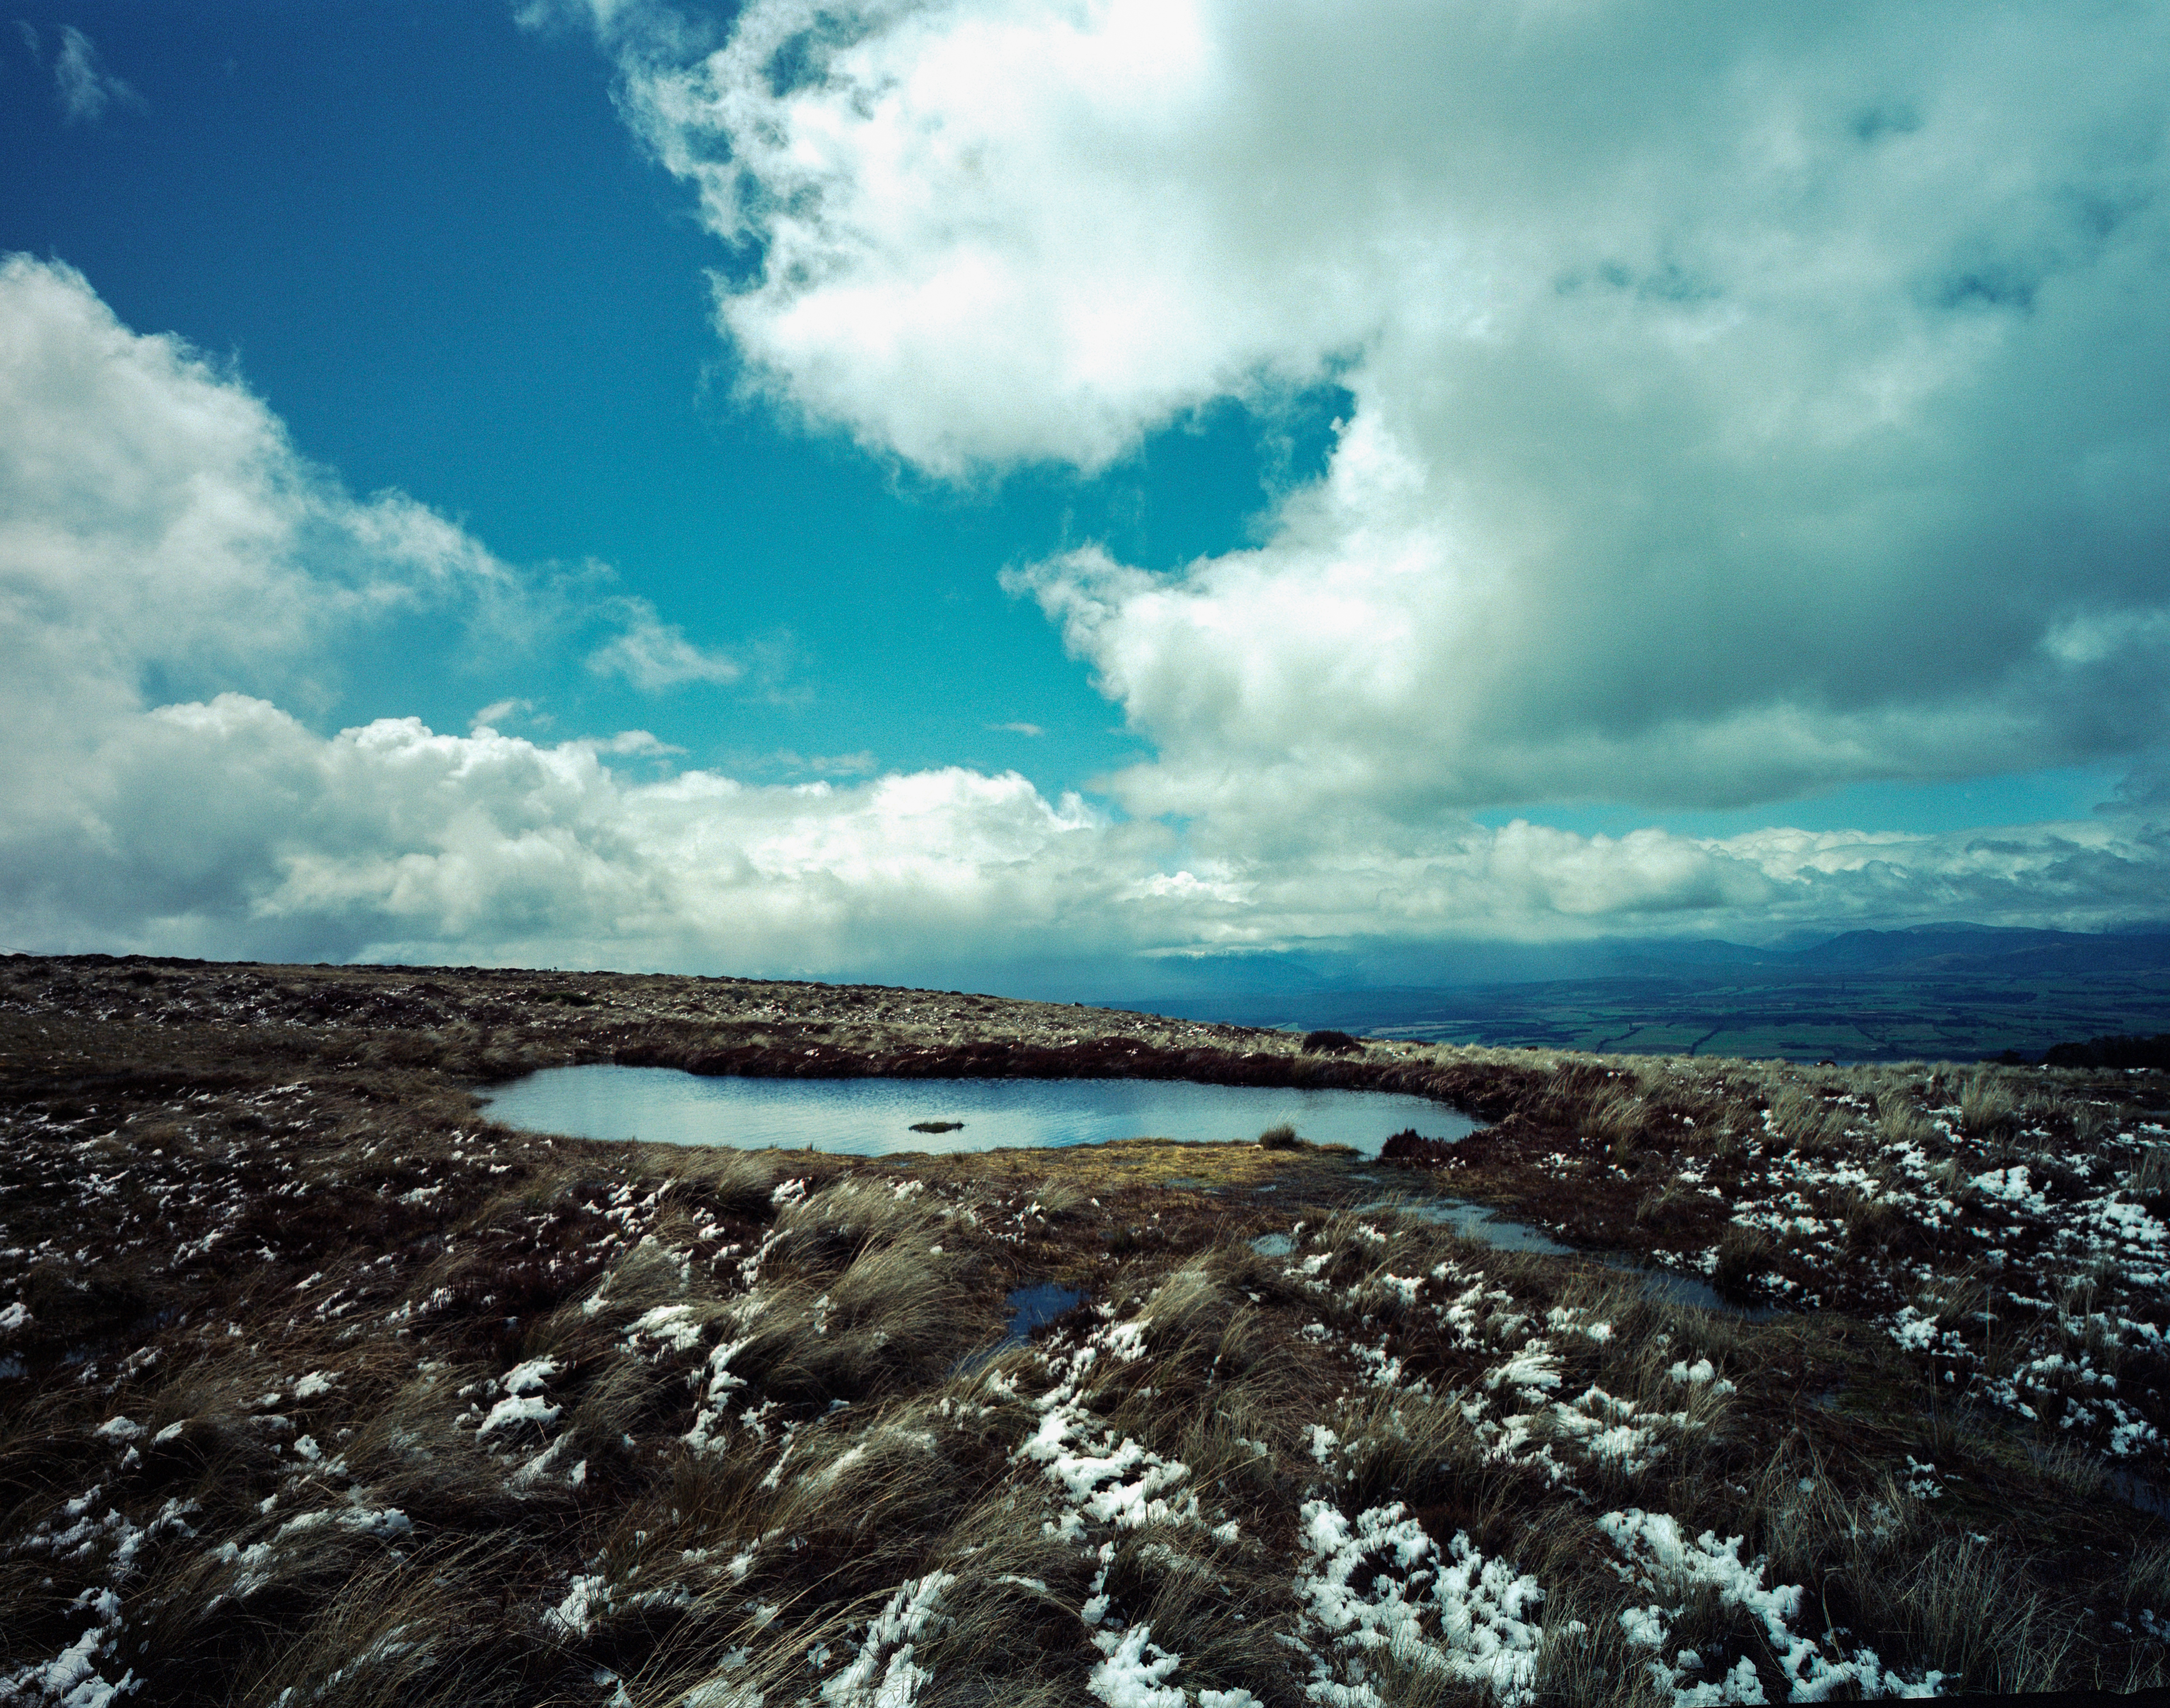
1741	403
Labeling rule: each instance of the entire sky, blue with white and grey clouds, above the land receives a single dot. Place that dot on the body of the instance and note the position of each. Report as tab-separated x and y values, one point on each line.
1051	498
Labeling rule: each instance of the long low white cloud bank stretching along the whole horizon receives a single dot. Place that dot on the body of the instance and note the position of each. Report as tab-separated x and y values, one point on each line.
231	828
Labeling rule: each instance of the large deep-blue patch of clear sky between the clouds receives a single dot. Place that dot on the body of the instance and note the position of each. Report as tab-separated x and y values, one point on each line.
429	242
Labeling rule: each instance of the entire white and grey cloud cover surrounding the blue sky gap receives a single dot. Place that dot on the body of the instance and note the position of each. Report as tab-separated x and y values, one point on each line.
1735	407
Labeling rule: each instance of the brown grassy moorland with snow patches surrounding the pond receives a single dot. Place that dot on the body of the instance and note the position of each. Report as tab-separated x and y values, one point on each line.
318	1388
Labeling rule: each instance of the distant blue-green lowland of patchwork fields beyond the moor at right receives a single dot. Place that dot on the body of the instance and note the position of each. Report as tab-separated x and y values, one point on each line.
1854	1019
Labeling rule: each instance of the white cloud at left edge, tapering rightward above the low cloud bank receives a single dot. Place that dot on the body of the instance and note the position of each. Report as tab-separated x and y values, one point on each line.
157	528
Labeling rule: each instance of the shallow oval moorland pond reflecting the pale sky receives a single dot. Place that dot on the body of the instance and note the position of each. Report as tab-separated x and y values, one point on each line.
878	1117
